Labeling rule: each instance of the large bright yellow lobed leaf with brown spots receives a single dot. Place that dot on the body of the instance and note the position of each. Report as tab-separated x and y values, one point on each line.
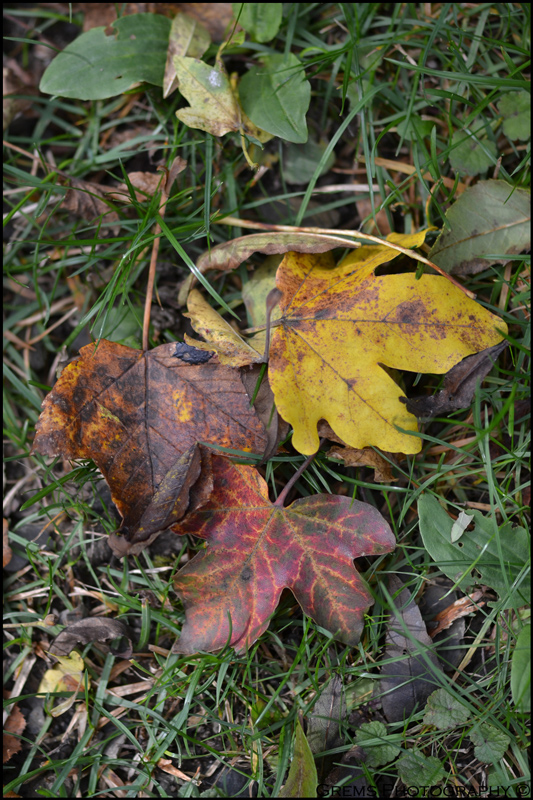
340	327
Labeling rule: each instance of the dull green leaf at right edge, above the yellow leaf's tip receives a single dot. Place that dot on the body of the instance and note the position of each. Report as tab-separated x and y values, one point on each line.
487	219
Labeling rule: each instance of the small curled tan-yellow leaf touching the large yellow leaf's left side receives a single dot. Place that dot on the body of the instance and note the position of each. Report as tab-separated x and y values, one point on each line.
220	337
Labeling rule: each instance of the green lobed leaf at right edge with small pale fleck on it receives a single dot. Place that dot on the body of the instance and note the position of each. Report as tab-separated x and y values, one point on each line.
497	554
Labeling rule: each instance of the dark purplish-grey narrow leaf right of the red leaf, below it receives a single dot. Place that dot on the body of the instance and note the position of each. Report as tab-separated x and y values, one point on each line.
407	679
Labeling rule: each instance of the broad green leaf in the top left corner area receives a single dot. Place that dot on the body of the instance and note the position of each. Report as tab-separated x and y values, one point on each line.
98	65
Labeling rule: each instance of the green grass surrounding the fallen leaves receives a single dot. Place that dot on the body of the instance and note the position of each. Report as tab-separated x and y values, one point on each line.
376	71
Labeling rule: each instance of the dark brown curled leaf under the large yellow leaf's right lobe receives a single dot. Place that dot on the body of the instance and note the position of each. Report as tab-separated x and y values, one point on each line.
459	385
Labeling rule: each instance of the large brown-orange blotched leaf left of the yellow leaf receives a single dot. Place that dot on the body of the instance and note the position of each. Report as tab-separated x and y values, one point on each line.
139	416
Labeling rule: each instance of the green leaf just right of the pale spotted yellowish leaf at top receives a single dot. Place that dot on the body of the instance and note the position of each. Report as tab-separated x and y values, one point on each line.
276	97
